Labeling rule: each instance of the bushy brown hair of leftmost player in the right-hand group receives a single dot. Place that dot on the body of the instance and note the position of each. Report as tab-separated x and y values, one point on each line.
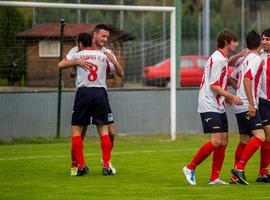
226	36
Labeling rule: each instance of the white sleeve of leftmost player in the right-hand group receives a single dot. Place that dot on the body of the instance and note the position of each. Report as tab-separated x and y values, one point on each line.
215	72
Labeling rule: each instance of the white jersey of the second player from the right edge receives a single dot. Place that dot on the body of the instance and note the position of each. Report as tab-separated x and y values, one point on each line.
250	67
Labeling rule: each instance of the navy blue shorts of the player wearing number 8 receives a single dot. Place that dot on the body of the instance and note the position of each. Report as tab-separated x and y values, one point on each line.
91	103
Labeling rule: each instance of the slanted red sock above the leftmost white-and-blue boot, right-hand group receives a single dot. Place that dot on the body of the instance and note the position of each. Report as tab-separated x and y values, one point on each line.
202	154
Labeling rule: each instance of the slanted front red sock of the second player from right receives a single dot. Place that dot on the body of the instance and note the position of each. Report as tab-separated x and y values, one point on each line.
251	147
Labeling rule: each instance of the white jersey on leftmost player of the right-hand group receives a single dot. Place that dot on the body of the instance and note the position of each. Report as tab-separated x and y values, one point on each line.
215	73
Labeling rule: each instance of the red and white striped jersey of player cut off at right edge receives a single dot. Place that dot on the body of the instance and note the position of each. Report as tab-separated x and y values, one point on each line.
265	84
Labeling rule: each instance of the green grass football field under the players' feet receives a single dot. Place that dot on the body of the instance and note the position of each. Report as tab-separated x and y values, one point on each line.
149	167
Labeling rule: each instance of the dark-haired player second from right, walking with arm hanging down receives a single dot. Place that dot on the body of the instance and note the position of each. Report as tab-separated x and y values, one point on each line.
248	118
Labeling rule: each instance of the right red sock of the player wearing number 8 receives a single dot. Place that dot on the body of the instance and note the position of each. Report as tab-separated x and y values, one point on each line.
106	146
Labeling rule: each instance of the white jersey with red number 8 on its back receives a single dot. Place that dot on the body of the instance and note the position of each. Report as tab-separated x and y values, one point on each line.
98	65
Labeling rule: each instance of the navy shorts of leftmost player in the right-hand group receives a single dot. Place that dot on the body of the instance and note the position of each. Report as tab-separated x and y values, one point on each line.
213	122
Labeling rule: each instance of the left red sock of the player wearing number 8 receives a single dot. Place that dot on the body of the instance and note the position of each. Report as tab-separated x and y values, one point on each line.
77	149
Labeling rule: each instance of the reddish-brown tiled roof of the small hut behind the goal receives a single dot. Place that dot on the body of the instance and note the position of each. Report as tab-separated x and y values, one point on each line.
52	30
